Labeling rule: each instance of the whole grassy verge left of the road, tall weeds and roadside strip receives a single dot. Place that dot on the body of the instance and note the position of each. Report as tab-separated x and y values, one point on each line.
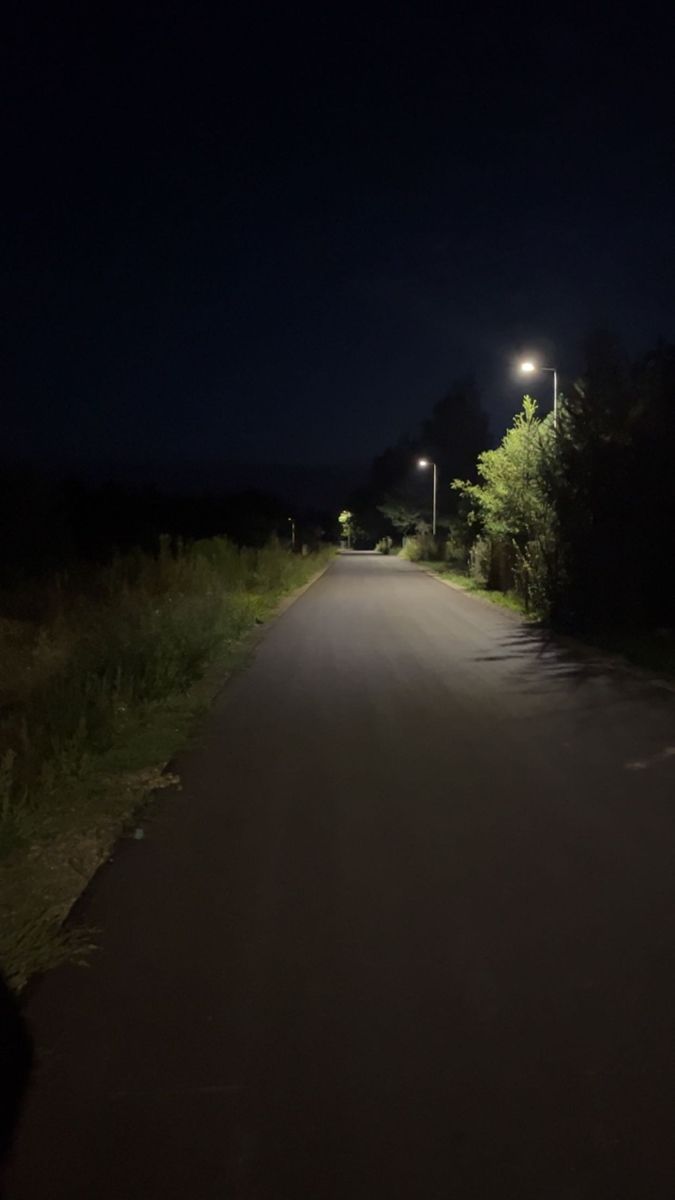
100	688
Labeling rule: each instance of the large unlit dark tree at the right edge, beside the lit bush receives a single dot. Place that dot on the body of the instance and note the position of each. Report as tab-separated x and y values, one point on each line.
614	491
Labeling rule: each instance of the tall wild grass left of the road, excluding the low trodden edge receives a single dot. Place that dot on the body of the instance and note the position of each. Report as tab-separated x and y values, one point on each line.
103	647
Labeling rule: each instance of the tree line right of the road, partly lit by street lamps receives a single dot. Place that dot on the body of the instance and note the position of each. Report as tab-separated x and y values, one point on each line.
577	517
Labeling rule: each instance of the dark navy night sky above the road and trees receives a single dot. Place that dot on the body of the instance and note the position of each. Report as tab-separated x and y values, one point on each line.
280	232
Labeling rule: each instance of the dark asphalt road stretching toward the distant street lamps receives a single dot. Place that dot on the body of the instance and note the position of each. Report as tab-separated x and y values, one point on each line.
407	933
